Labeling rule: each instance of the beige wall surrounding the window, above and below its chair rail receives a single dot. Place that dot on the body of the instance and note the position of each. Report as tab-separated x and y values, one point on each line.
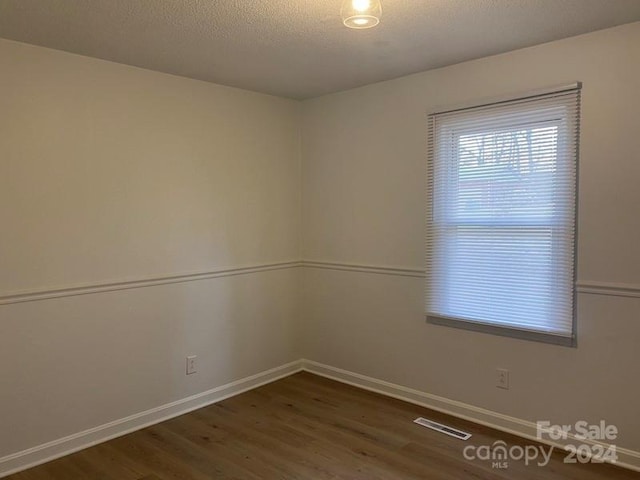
364	193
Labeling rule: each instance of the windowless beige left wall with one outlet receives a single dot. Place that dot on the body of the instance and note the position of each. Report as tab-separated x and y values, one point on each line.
111	173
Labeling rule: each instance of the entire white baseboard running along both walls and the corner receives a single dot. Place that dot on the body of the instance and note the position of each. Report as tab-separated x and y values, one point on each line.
64	446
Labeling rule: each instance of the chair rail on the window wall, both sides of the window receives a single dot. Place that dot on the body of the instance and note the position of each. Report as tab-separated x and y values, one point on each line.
586	287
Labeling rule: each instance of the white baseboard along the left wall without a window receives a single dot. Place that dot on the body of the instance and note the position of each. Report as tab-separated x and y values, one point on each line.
64	446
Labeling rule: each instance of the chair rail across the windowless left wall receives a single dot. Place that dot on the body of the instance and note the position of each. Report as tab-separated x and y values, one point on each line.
70	291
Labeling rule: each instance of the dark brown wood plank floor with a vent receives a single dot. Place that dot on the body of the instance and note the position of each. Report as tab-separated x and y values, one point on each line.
305	427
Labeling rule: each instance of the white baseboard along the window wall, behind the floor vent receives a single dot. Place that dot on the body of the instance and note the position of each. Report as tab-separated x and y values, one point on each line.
629	459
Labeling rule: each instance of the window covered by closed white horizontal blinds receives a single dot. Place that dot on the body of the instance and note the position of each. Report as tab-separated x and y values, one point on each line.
501	222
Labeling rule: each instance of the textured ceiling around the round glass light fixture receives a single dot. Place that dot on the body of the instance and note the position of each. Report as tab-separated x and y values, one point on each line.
299	48
